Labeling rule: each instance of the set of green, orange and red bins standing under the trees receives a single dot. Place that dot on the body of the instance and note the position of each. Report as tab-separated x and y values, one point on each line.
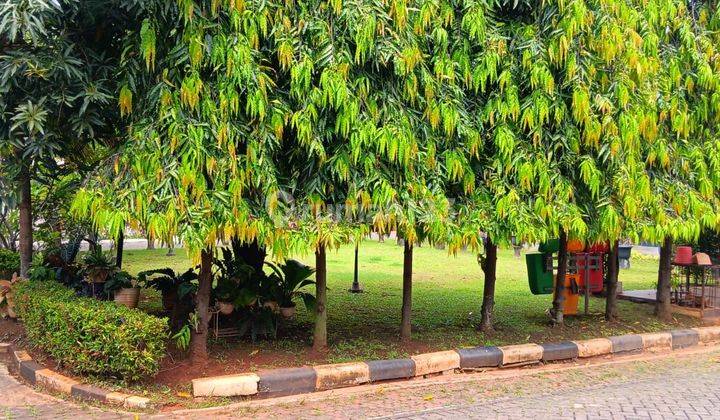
585	274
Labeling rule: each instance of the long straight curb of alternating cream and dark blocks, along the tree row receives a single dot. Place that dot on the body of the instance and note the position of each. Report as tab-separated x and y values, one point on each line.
282	382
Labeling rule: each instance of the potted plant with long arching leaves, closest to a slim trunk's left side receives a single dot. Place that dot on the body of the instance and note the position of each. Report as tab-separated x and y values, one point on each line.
291	277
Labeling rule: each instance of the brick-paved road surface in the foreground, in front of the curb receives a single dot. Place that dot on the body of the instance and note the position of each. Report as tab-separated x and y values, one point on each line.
683	386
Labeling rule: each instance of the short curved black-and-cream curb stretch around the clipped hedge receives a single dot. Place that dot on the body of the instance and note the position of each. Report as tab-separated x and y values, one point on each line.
36	374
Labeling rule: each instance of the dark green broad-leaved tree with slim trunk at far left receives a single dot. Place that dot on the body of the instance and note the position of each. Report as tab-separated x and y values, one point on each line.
57	65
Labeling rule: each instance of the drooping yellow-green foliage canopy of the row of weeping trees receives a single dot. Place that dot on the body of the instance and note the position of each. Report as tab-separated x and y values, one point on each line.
302	122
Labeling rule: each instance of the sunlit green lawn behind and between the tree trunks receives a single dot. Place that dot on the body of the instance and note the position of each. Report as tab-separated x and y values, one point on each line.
447	293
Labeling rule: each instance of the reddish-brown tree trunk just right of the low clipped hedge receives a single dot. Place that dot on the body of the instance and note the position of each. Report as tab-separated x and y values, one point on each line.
198	343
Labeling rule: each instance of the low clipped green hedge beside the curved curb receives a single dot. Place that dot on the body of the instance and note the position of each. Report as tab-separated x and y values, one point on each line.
89	336
